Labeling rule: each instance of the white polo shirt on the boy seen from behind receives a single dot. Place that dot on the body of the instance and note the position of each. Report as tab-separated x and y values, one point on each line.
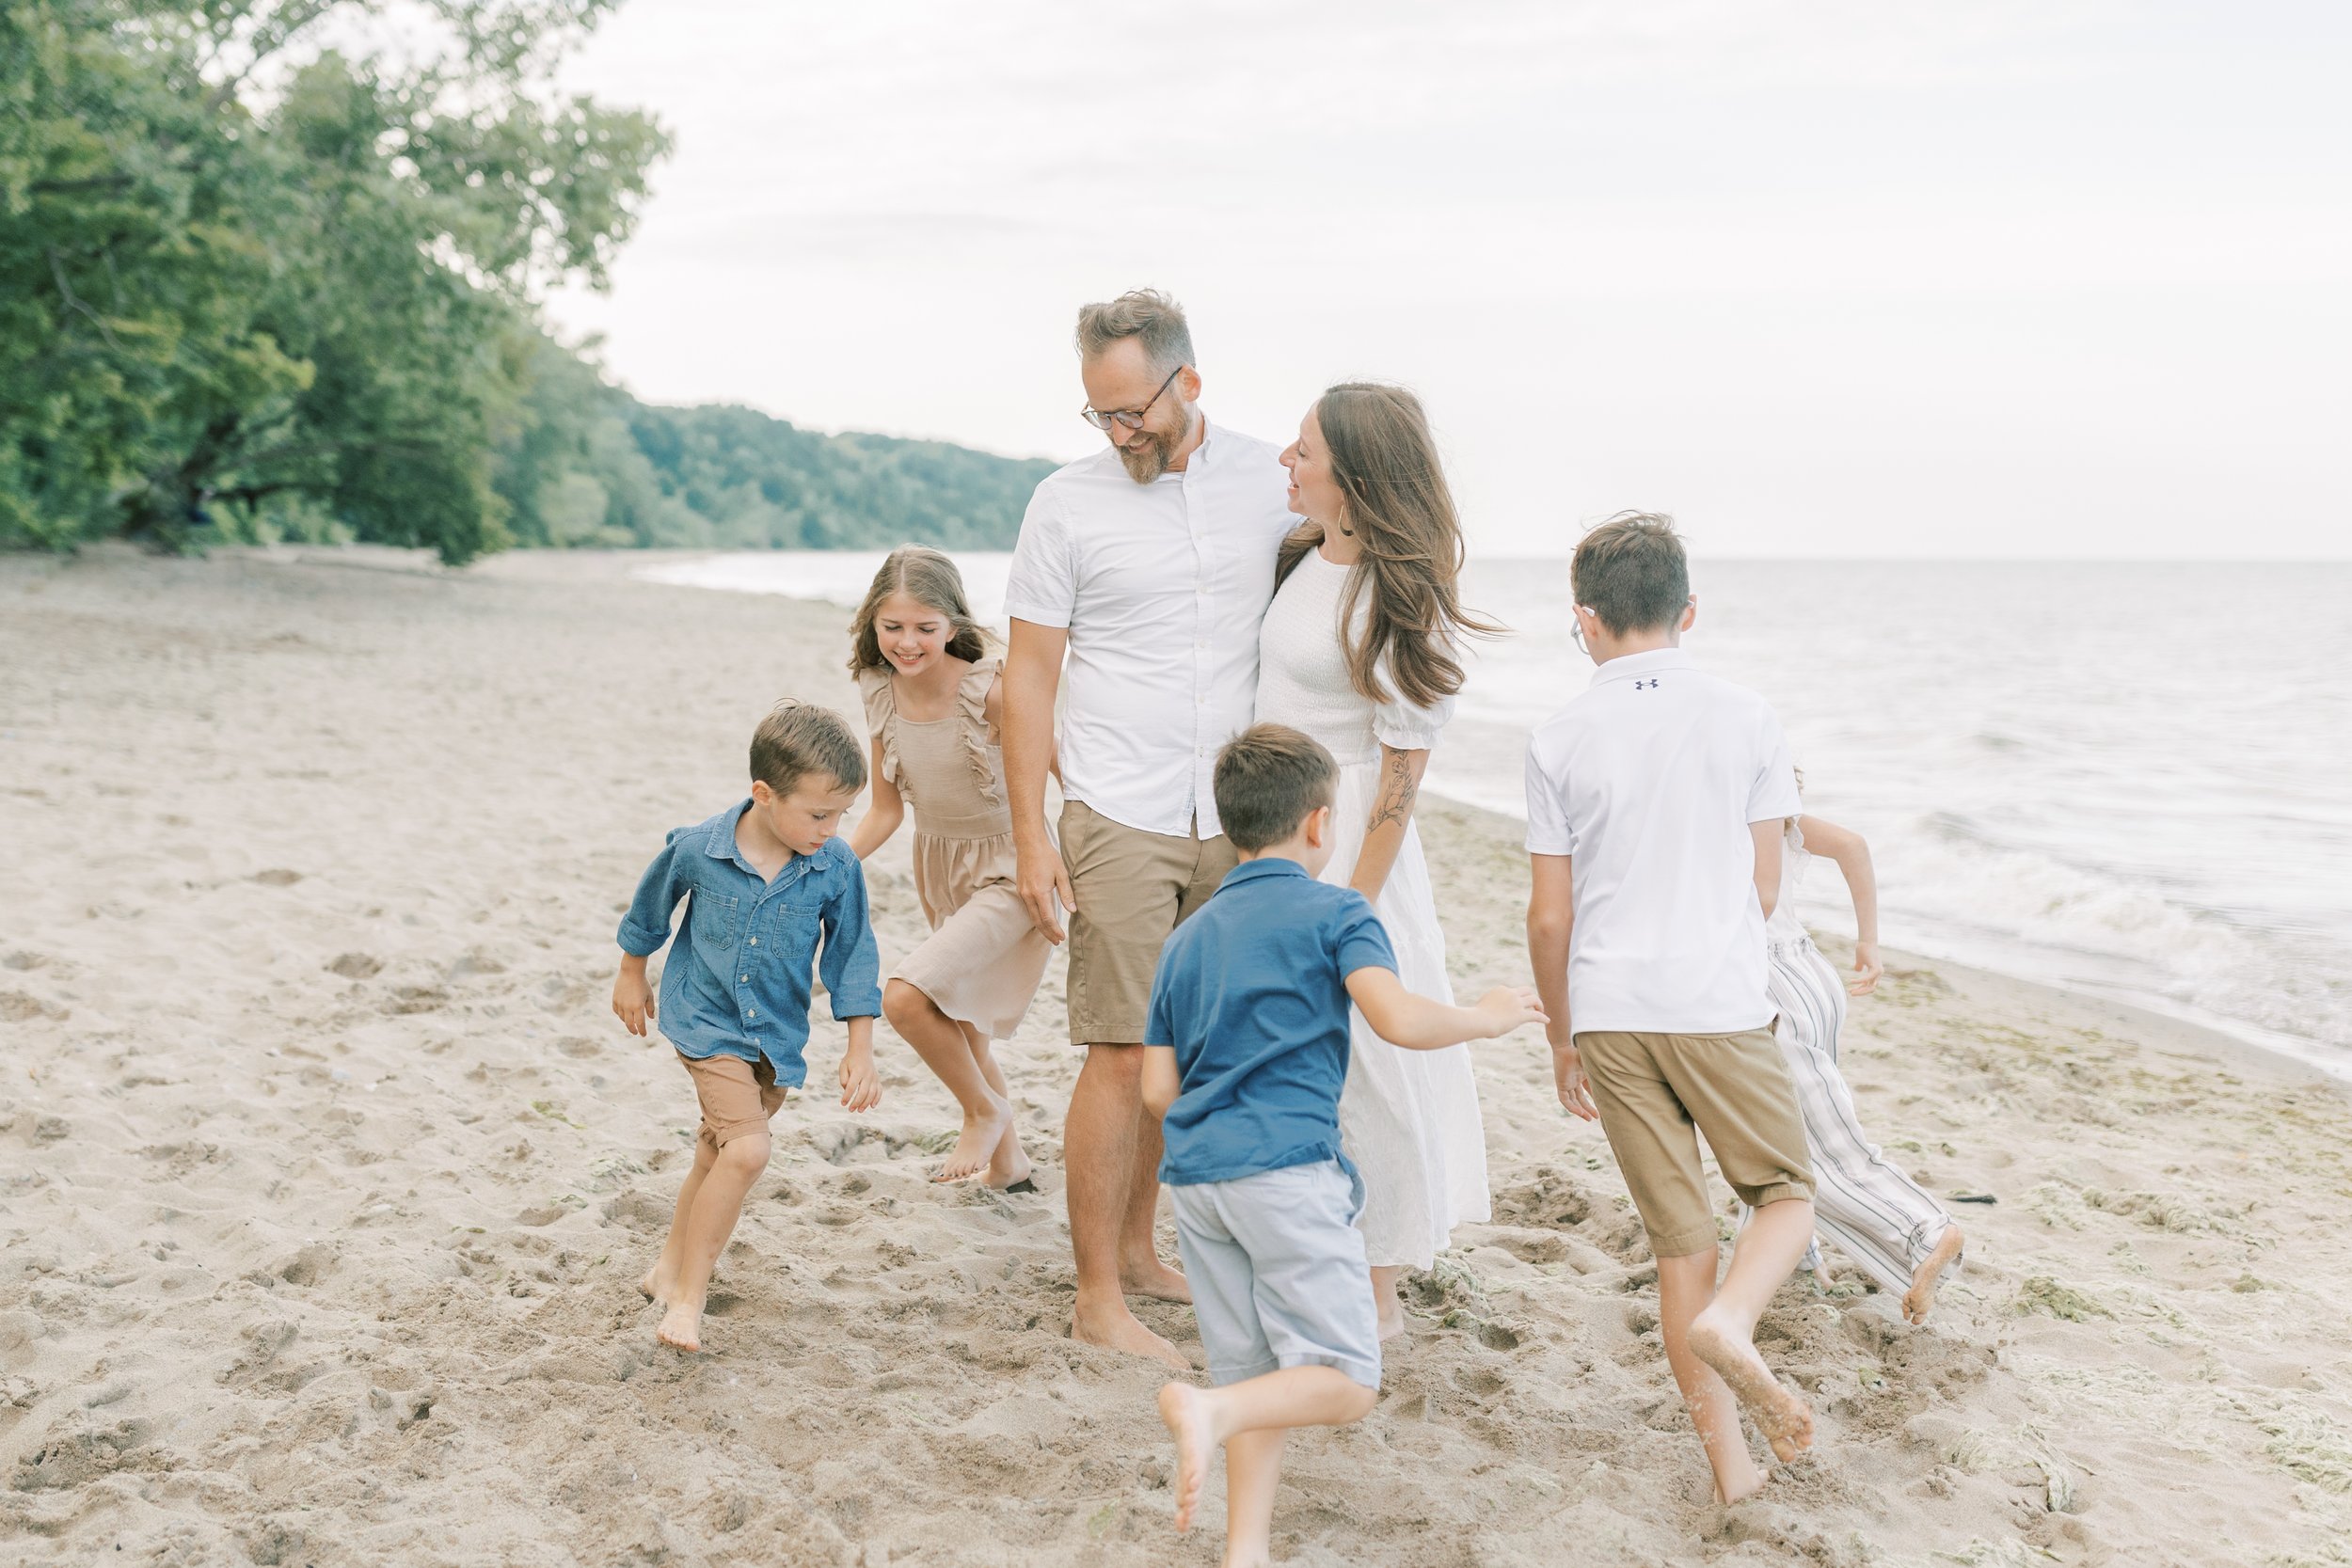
1650	782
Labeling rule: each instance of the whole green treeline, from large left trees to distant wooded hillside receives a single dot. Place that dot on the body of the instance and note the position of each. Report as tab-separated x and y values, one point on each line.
262	279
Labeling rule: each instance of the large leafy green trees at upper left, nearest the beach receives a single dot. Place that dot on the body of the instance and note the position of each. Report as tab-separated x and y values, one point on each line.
241	269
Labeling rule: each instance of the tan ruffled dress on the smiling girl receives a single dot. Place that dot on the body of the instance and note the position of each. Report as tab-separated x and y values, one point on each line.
984	956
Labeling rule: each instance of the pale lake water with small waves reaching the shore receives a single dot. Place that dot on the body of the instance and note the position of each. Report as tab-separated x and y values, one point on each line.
2132	779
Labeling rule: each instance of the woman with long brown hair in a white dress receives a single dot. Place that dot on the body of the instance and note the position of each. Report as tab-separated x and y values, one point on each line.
1363	652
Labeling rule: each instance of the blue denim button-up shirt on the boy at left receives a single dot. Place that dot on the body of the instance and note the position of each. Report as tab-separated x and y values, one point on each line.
737	981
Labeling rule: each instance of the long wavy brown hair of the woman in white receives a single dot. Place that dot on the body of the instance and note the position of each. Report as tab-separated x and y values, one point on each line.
1398	504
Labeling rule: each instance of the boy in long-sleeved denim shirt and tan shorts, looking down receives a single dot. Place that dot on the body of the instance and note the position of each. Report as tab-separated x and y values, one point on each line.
766	887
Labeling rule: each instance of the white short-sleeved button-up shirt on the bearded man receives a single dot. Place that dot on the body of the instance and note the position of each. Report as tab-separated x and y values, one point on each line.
1163	589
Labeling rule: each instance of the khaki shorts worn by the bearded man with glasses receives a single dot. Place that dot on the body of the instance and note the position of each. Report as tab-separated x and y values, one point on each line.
1132	890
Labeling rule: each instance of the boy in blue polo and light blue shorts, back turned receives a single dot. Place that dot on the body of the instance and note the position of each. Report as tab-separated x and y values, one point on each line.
1243	1059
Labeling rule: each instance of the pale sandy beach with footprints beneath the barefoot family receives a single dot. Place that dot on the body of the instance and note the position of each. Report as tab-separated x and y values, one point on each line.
326	1177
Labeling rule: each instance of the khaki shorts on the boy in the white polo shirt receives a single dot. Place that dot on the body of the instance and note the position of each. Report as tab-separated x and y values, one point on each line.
1655	1090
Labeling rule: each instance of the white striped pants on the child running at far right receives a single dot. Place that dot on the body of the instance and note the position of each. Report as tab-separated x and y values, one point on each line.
1871	1209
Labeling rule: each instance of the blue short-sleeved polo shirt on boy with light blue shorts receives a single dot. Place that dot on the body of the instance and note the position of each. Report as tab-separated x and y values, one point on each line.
1252	993
